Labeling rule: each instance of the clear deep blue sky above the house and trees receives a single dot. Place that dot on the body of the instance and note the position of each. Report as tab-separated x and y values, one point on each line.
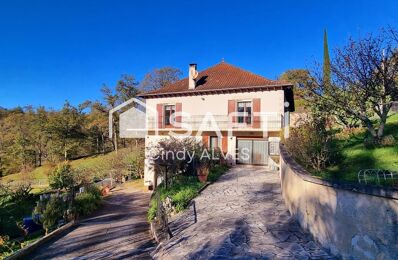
52	51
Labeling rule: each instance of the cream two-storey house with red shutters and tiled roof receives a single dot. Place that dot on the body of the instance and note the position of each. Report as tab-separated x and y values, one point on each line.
223	106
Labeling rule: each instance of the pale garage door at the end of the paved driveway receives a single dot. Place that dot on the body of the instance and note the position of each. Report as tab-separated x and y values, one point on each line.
252	151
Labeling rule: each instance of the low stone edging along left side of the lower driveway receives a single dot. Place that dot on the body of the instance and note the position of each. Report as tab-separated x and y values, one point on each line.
24	252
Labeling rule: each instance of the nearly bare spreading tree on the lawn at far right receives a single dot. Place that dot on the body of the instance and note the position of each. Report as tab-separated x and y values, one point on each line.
363	82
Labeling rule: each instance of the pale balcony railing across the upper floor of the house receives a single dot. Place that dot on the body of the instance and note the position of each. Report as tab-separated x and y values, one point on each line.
219	122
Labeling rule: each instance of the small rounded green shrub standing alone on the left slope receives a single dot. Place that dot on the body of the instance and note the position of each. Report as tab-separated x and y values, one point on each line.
62	177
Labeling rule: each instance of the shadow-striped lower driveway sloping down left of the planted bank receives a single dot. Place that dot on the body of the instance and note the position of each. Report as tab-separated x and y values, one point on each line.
119	230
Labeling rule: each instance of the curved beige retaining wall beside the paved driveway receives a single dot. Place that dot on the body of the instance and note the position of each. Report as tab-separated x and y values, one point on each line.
351	221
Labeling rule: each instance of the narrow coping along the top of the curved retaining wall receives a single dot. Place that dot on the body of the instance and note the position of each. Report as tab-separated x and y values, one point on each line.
380	191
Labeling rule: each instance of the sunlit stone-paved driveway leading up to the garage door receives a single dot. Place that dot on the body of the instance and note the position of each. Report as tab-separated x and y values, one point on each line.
241	216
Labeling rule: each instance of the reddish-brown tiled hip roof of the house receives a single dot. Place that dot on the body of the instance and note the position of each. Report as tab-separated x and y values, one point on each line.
221	77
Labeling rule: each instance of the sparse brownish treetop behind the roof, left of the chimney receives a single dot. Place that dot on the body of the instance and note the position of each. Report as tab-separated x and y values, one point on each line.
159	78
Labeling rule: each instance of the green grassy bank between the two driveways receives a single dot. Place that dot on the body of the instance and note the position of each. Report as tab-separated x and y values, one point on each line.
183	190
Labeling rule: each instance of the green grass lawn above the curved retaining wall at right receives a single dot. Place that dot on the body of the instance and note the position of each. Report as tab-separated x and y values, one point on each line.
357	157
